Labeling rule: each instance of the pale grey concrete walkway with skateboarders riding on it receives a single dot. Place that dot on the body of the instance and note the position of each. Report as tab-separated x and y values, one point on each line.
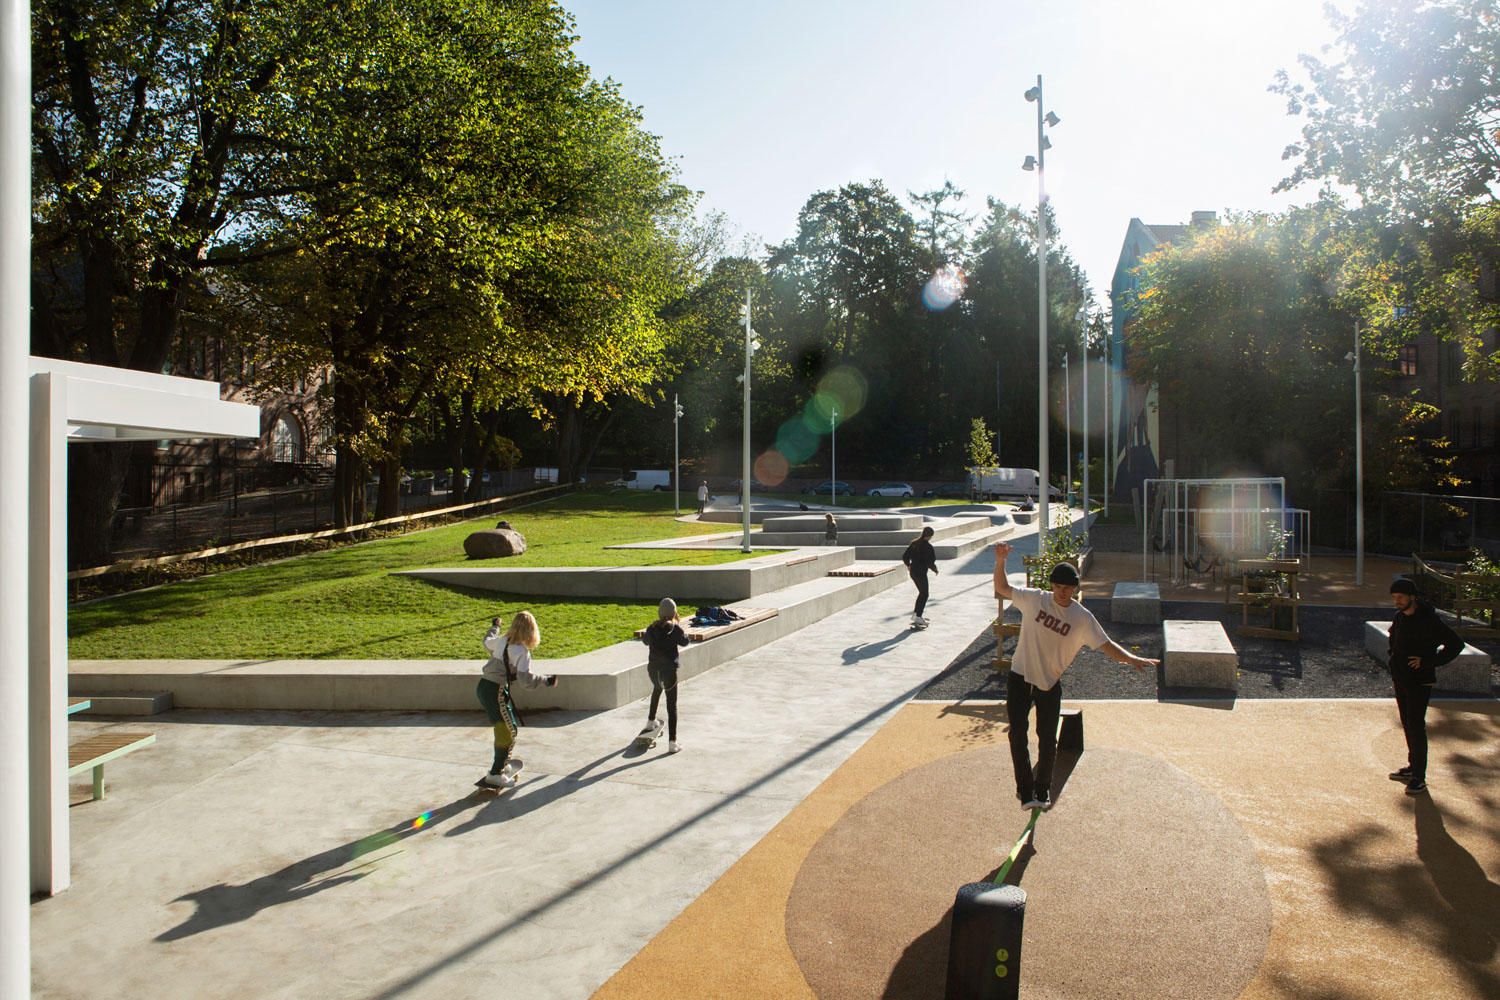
344	855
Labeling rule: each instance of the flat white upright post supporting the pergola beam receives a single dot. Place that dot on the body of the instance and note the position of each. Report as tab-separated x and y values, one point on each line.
49	635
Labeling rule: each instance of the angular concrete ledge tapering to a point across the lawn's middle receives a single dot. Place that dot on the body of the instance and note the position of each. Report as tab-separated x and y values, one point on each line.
721	584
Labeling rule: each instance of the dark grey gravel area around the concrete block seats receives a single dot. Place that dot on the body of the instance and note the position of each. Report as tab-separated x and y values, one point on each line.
1328	662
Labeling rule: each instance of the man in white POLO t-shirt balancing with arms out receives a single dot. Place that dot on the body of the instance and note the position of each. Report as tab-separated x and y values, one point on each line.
1054	629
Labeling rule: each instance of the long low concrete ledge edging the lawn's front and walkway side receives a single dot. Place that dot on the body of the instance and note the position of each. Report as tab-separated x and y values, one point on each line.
601	680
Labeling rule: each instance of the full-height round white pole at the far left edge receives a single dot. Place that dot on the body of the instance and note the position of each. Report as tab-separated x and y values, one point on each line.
16	268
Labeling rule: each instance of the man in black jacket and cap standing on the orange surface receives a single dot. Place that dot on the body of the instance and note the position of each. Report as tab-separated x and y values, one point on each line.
1420	644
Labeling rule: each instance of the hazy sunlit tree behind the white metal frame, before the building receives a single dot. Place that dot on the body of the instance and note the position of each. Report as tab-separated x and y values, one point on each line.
1246	329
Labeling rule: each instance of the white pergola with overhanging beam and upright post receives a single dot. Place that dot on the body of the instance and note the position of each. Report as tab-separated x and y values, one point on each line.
86	404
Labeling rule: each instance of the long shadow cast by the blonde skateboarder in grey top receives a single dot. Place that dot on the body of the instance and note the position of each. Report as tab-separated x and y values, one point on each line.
224	905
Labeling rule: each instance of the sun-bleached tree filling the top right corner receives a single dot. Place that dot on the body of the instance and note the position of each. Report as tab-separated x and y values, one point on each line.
1411	121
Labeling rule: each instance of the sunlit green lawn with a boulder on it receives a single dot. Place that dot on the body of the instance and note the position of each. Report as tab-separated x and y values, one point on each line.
343	605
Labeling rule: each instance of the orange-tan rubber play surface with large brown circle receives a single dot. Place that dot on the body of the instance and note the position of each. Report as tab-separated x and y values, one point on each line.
1369	893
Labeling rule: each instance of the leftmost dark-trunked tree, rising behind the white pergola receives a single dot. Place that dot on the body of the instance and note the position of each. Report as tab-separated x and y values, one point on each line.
149	148
